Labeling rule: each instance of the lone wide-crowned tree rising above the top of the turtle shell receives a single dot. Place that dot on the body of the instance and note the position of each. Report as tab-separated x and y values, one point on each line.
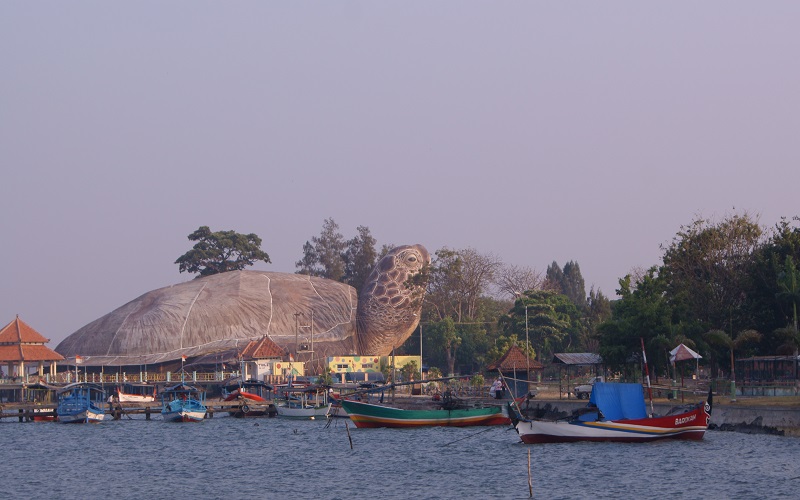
221	251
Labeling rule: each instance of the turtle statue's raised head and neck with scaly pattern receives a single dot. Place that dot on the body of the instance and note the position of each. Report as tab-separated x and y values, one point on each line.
390	302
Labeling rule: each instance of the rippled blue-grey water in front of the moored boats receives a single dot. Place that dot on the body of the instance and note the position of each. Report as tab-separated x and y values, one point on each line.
278	458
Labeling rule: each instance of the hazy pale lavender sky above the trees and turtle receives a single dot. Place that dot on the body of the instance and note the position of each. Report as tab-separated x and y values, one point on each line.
532	131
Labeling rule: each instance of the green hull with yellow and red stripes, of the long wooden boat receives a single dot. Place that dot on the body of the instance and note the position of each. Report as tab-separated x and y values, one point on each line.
365	415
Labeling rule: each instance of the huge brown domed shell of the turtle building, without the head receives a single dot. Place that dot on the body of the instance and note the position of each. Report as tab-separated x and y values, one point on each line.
219	313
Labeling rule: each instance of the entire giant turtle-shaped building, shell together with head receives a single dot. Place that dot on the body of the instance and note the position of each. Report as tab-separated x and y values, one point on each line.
225	311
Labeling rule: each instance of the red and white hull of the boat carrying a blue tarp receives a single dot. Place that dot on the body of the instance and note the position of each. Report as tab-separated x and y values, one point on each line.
690	425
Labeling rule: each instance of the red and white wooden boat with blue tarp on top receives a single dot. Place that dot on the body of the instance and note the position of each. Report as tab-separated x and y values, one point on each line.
617	412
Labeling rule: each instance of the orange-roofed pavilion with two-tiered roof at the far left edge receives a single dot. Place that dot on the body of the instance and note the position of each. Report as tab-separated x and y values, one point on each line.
22	347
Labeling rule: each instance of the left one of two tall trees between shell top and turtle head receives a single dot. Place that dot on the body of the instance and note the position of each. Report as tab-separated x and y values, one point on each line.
323	255
